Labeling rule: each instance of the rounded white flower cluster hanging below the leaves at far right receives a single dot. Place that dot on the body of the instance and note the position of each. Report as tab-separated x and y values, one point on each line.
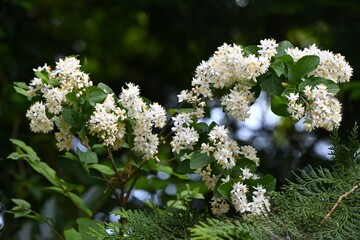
322	110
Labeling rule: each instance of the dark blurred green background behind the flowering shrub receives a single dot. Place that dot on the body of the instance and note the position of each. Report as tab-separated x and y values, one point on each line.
158	44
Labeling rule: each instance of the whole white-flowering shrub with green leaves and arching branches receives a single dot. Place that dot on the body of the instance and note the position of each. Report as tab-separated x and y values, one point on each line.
302	84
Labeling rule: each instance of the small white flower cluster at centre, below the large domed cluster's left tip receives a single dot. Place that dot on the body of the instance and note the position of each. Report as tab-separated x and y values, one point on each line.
185	136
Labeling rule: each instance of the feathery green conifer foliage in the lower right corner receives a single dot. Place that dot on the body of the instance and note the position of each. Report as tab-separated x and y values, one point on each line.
321	204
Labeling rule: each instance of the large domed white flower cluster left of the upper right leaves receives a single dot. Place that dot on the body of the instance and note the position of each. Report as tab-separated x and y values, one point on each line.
230	67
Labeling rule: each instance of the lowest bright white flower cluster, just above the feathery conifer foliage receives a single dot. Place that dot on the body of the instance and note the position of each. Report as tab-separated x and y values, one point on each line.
259	204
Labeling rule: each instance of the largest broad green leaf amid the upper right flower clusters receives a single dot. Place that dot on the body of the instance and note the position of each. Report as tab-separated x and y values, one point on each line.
302	67
